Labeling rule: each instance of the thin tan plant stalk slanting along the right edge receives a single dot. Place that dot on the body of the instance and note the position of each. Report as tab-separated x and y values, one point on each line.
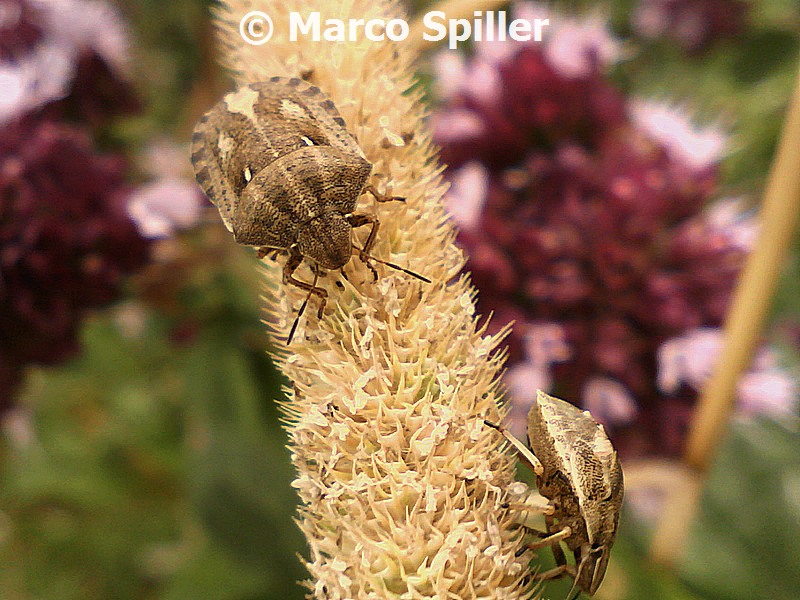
743	328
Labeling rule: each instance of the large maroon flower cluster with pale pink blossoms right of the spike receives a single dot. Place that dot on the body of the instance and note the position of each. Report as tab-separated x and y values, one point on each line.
584	217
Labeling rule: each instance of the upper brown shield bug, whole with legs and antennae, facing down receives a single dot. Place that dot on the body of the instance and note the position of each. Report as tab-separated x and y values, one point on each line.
277	160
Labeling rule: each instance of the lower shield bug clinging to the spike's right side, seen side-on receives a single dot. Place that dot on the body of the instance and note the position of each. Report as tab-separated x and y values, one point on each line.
578	472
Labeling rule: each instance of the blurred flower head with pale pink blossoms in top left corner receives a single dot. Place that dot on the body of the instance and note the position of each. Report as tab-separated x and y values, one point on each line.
69	58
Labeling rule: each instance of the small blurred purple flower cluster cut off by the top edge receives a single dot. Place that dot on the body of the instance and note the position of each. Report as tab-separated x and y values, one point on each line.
695	25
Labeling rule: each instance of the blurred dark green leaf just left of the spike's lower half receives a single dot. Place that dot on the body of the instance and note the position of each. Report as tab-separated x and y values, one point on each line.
240	474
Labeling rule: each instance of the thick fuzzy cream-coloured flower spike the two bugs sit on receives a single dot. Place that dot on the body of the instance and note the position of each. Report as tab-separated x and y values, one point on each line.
402	486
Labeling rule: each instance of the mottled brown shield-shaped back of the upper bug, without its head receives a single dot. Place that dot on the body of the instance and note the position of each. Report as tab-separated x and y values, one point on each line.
273	155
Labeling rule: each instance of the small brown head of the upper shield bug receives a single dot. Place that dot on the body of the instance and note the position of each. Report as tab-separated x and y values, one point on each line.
326	240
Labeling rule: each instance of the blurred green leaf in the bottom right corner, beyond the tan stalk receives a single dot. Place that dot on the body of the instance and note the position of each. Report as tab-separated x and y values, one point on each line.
745	543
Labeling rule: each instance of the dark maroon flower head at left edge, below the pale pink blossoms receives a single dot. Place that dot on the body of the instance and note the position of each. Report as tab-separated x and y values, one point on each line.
66	241
